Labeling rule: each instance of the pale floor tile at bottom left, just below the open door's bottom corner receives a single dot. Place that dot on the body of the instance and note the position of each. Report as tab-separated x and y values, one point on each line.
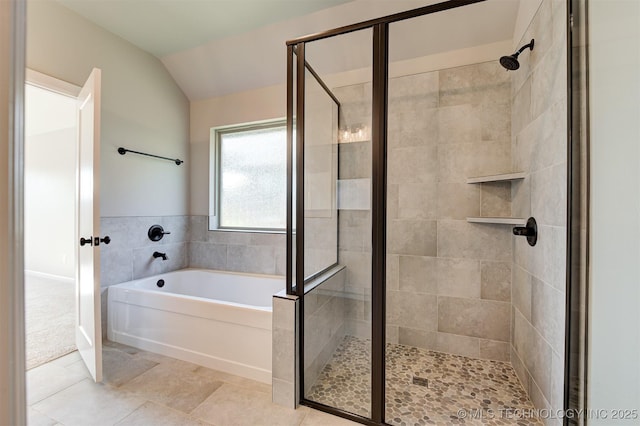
88	403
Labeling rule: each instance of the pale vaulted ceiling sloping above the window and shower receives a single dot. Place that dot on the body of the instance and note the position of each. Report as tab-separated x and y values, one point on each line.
217	47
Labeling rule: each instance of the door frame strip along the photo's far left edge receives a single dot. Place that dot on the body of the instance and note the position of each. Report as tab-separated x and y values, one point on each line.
12	332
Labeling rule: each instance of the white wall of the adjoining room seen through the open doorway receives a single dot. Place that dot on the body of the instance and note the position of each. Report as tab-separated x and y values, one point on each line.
50	182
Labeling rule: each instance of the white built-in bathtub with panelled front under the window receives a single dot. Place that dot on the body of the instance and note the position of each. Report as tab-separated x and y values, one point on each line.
220	320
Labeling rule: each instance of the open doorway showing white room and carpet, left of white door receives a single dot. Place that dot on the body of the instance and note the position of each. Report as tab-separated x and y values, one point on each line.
50	223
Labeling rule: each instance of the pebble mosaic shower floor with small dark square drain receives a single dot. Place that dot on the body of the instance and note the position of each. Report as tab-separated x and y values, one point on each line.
425	387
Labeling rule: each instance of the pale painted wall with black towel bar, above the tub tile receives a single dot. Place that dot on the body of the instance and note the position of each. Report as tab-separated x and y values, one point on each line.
142	109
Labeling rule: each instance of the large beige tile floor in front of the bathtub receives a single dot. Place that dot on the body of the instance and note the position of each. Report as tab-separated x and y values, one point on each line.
142	388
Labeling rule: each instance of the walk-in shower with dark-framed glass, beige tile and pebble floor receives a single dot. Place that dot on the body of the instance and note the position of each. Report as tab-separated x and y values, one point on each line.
412	156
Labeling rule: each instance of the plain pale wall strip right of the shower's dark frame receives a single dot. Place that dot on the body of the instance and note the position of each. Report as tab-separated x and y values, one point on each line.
614	96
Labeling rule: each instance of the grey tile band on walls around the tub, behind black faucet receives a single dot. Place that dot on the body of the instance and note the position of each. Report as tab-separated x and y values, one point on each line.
190	244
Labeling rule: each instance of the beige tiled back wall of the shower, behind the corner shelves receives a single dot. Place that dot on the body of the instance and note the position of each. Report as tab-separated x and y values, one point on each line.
449	281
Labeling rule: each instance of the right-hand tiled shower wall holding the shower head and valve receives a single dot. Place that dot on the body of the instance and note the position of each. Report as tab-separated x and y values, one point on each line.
539	137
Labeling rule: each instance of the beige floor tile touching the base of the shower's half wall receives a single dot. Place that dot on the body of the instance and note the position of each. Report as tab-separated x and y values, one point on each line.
233	405
